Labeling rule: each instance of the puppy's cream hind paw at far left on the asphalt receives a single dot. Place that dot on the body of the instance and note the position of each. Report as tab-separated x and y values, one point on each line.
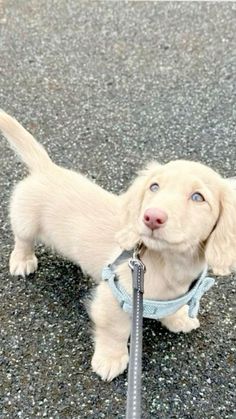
22	267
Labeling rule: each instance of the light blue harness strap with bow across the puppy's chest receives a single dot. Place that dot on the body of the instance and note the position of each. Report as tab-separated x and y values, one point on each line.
157	309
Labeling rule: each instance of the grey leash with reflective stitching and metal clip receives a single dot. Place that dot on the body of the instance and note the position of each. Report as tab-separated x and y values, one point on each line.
133	407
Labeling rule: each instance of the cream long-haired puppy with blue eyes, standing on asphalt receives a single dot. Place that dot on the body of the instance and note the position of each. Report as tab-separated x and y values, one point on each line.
183	212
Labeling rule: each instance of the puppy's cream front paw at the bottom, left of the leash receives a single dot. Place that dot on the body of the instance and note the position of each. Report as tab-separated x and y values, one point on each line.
109	367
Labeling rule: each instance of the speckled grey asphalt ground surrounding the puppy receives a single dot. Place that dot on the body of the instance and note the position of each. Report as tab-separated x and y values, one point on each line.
106	86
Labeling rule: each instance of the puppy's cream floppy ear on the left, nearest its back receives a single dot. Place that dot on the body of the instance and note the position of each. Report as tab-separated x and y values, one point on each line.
130	206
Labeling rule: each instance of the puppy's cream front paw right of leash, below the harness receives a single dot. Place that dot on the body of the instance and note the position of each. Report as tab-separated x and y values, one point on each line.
180	321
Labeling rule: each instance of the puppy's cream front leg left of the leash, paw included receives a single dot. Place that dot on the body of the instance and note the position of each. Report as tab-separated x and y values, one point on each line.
112	330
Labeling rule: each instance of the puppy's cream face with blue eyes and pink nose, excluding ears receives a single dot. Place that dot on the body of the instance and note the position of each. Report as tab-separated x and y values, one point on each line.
178	209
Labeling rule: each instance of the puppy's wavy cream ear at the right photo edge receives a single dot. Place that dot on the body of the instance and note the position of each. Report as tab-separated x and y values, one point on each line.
221	245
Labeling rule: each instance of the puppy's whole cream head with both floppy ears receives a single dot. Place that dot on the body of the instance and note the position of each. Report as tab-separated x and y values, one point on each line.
181	207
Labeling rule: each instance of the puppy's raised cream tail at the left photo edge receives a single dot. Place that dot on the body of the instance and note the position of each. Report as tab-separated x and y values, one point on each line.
31	152
